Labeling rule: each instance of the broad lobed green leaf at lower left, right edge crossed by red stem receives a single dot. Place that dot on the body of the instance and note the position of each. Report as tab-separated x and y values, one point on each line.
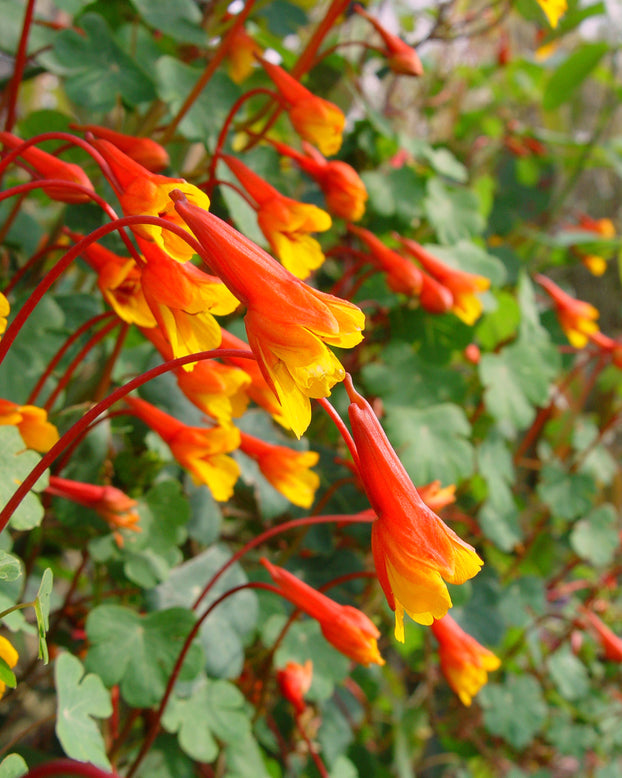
139	652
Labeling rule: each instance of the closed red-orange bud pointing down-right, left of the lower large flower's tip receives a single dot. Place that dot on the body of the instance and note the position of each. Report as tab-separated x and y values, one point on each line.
346	628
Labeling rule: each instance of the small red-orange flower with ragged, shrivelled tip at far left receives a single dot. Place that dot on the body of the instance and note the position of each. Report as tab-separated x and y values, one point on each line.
114	506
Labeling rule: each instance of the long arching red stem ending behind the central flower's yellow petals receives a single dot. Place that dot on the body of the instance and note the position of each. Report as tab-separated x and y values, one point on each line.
76	429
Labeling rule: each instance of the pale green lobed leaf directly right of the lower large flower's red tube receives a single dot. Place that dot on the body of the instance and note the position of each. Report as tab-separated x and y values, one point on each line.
433	442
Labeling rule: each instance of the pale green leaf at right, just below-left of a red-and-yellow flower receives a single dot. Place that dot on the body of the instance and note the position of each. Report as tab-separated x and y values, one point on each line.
517	380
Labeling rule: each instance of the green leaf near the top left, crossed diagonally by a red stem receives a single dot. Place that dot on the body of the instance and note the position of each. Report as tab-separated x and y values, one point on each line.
175	81
